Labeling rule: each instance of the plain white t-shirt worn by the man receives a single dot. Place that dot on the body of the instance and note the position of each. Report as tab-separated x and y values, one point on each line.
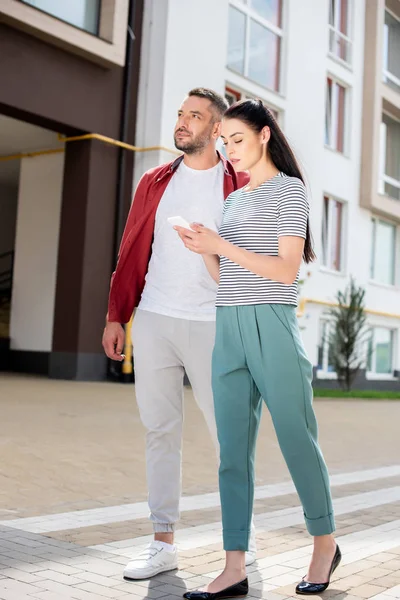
177	282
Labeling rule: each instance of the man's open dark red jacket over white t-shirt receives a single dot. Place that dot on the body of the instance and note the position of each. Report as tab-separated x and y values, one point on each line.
127	282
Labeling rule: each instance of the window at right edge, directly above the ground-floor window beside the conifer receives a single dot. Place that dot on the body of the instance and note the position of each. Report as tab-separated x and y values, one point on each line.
383	256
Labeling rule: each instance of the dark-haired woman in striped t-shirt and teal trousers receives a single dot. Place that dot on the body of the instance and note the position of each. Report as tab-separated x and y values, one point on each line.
258	352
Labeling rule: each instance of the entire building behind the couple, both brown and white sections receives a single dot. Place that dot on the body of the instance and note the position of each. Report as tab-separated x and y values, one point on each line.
329	70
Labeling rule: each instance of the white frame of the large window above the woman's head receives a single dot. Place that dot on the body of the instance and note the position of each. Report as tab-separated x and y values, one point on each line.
250	14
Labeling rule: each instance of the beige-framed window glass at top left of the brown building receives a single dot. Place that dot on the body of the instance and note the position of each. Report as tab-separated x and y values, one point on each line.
80	13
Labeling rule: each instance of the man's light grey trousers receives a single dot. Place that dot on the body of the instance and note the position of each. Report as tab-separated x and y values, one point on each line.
163	347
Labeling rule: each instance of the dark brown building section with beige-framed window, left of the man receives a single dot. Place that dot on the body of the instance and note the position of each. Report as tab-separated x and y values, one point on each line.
67	70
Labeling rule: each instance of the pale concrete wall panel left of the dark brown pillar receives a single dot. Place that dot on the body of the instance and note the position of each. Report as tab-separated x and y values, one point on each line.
36	249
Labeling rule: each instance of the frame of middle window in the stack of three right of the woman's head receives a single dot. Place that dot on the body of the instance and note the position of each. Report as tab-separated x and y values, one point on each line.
335	116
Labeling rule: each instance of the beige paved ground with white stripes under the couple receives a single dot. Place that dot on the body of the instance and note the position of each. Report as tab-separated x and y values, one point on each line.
73	510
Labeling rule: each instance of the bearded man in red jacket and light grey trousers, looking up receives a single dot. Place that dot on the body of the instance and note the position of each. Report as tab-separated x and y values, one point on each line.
174	326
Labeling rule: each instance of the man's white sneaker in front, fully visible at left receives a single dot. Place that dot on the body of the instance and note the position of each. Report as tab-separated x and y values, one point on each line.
156	558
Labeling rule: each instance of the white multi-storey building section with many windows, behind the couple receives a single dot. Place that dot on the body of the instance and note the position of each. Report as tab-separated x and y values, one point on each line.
330	72
